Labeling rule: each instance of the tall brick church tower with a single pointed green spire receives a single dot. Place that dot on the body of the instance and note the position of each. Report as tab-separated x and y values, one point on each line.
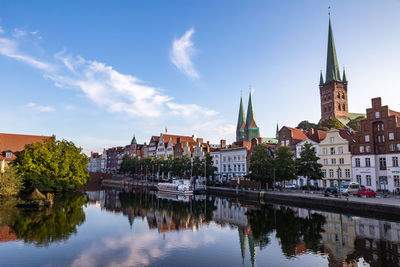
333	91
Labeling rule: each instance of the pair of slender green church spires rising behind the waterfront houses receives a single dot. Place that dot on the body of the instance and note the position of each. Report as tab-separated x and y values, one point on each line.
247	128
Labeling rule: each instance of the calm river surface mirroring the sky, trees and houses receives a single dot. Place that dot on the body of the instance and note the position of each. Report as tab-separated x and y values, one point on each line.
113	228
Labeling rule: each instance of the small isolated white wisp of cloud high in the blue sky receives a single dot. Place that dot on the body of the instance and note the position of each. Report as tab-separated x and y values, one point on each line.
181	54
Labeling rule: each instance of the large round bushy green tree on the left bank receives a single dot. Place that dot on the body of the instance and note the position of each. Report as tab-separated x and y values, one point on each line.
52	166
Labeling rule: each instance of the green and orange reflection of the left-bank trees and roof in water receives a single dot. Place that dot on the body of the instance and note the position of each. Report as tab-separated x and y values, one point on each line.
44	227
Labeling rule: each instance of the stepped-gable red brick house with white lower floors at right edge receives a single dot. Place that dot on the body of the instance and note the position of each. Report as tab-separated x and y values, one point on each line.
376	153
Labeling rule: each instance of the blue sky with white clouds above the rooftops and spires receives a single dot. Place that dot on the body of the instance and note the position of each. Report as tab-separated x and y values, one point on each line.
98	72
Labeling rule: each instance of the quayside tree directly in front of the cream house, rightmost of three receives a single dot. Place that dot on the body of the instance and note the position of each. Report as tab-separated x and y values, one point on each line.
307	164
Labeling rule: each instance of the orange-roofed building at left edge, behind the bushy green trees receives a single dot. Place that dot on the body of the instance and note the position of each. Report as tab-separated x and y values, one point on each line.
10	144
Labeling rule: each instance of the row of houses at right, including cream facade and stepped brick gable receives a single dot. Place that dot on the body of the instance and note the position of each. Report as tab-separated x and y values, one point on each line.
369	157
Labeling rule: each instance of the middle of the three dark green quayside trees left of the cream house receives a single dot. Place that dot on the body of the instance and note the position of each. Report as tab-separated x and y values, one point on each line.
284	164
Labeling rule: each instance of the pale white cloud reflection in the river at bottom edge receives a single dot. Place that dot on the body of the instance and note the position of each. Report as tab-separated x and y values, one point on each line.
138	249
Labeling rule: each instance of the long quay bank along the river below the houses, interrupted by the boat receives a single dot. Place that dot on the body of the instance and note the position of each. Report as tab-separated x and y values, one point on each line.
379	207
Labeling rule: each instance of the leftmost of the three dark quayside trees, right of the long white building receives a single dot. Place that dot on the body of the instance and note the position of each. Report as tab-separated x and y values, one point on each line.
261	166
